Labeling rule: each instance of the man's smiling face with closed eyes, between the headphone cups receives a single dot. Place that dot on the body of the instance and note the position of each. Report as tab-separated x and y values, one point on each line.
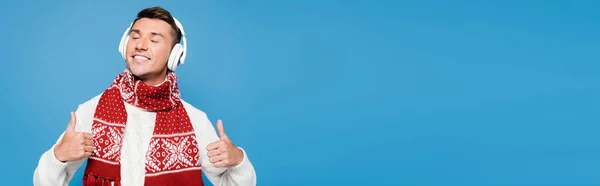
148	49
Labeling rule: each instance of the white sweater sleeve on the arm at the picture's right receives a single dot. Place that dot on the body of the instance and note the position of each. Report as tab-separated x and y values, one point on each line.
241	175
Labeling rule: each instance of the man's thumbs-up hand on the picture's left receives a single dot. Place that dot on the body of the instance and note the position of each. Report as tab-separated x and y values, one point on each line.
74	145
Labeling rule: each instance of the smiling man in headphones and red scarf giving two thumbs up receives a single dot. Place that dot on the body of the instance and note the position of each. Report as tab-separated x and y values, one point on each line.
139	131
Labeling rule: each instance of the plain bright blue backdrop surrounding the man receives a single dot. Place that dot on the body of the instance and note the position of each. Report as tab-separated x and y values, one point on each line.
337	92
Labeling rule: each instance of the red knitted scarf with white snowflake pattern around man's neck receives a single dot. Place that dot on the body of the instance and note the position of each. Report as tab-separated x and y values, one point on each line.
172	157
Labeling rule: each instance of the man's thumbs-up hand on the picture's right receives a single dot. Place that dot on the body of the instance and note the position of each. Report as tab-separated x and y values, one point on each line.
223	153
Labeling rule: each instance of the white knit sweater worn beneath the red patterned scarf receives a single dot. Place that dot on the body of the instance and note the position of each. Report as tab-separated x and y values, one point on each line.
136	139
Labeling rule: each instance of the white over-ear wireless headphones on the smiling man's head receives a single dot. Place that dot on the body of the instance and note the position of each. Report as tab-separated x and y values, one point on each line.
178	52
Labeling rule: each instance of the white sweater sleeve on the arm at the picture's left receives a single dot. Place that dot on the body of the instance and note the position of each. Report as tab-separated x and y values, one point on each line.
49	170
